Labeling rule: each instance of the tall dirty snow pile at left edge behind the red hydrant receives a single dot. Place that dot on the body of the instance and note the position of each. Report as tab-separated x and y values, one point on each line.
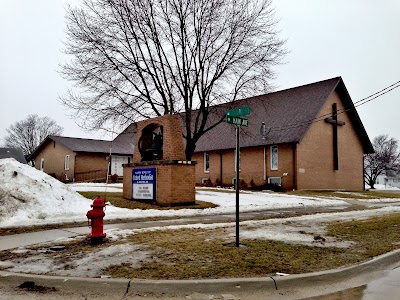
29	194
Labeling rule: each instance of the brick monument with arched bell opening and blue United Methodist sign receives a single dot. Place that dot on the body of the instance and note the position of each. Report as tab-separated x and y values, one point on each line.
159	172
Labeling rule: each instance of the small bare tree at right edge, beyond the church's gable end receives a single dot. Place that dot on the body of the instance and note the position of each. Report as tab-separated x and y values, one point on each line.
385	160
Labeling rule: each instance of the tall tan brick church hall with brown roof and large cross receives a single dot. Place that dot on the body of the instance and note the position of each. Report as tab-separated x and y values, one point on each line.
304	138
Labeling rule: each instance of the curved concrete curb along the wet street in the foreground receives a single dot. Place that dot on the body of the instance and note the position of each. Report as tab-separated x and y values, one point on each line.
321	282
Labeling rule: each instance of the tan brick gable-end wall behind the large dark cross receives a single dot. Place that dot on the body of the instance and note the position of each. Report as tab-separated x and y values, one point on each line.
315	154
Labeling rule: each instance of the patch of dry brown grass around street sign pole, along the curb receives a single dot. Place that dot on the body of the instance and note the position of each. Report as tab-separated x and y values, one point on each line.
195	253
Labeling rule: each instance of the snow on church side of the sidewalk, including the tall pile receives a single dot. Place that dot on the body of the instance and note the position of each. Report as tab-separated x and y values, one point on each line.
31	197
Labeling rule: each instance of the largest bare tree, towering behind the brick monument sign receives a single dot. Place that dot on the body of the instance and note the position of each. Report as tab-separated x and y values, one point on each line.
135	59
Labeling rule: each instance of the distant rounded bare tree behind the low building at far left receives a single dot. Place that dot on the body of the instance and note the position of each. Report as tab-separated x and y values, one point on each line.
30	132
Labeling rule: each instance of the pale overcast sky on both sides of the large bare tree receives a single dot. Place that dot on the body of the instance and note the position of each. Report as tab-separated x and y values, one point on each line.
356	39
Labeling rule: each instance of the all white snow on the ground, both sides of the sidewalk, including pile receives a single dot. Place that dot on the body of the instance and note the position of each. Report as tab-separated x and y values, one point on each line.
31	197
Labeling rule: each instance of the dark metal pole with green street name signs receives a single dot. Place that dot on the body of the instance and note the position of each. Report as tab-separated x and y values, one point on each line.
233	116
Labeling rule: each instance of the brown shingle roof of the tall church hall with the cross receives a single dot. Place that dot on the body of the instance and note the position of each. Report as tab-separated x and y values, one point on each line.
289	113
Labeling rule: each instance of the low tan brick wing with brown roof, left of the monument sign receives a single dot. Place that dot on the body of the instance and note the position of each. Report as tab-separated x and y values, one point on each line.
77	159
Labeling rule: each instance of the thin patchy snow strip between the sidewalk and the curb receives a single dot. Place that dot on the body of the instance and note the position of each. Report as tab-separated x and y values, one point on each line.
306	230
